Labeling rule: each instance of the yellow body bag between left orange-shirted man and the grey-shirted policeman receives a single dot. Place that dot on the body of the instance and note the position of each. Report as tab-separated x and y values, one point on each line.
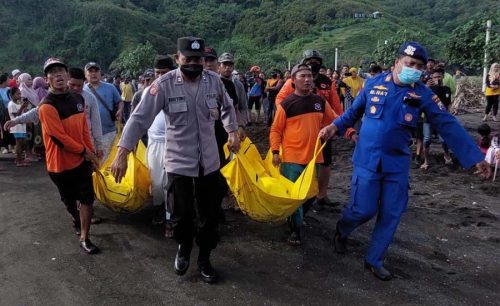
133	191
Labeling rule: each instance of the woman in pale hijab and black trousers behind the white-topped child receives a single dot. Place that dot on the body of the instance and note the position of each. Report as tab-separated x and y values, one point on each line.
34	139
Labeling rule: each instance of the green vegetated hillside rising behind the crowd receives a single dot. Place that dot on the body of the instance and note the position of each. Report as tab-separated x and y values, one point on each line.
268	33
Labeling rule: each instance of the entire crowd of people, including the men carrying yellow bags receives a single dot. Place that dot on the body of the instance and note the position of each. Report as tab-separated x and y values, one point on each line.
186	109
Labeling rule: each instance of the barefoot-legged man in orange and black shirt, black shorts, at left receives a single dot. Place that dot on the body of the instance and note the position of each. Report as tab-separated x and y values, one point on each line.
70	156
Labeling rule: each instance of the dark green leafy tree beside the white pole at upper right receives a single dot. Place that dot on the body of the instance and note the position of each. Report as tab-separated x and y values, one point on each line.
466	45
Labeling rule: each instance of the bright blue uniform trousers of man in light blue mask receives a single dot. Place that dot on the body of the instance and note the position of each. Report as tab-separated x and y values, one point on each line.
375	193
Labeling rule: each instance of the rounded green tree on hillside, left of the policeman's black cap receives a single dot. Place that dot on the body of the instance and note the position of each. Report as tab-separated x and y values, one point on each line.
134	62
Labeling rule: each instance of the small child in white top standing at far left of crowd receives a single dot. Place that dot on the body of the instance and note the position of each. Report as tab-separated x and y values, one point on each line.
16	107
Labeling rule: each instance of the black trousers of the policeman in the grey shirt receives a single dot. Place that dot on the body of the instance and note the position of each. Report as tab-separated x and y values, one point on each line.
194	207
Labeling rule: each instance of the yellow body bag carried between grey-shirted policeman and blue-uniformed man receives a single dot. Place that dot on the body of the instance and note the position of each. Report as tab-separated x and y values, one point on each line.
261	191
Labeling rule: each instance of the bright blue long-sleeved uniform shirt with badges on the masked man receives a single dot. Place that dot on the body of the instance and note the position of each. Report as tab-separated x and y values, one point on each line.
390	114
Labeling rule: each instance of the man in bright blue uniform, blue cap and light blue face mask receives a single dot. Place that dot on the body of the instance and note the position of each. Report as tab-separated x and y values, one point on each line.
391	103
